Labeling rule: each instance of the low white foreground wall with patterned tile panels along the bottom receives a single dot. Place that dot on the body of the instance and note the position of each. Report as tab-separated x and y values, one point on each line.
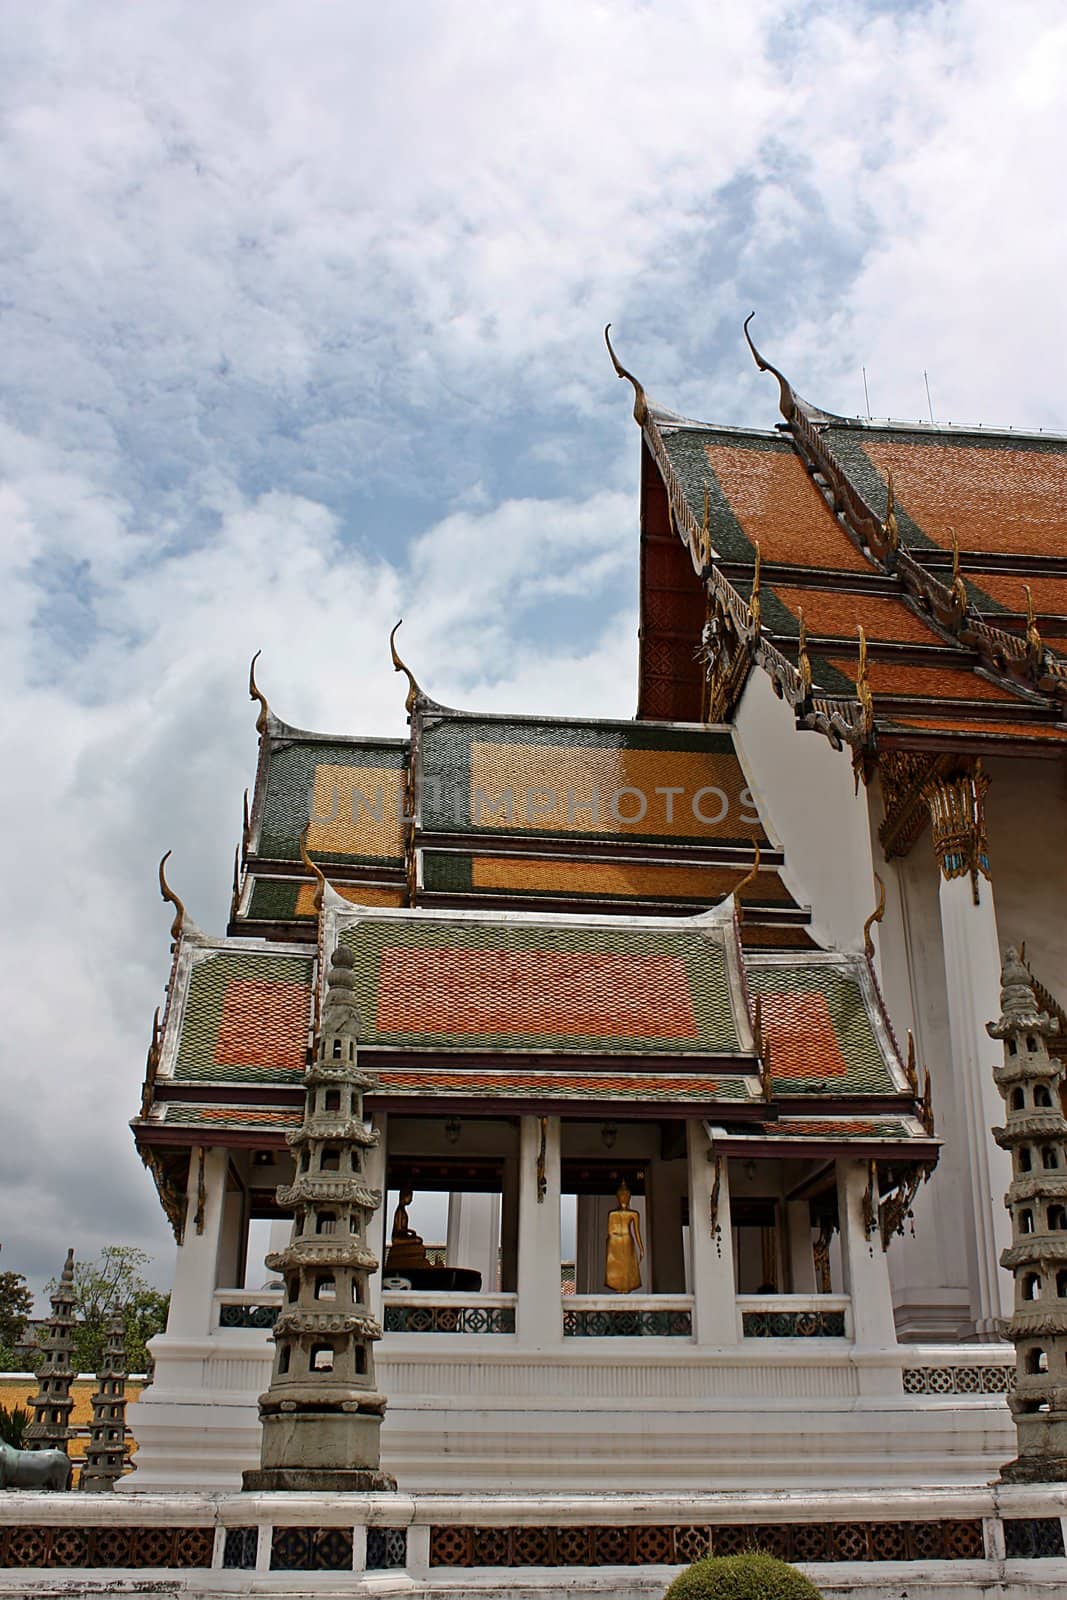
940	1543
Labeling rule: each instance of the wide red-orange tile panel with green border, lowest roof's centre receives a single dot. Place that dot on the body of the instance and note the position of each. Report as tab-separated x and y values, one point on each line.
565	988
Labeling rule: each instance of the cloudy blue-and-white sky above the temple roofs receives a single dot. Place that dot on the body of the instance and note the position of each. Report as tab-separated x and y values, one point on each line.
303	311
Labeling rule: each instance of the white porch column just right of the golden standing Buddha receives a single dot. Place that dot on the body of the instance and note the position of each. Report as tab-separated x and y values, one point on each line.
711	1255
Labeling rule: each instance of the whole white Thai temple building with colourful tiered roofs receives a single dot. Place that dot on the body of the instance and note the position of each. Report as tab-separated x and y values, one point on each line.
709	986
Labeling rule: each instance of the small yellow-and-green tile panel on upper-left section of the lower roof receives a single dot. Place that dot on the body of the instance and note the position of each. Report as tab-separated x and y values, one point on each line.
350	794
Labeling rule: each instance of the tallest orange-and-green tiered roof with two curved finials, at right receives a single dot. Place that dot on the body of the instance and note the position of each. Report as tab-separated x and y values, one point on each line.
943	545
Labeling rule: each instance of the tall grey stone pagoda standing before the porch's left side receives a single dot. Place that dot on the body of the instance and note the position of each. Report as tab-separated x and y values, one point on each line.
322	1414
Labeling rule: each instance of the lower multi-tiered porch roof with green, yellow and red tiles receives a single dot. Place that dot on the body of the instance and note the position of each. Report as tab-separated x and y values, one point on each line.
526	943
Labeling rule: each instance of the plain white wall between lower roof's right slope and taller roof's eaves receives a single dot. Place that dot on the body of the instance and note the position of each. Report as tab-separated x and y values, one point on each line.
805	793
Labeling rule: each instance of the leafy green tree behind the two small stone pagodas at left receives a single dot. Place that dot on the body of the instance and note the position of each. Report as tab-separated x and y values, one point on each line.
111	1282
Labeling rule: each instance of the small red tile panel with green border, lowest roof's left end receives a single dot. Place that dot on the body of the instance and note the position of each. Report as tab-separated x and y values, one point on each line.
246	1018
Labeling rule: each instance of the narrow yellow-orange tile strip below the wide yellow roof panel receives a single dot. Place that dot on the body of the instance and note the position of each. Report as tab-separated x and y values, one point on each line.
625	881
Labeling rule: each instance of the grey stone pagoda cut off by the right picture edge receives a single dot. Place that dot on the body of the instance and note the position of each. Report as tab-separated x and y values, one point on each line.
1036	1135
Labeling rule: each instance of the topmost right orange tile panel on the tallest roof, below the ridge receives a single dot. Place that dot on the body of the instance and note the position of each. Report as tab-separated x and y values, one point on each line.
996	498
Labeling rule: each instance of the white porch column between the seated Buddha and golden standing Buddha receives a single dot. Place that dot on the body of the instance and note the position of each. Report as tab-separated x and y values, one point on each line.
540	1313
